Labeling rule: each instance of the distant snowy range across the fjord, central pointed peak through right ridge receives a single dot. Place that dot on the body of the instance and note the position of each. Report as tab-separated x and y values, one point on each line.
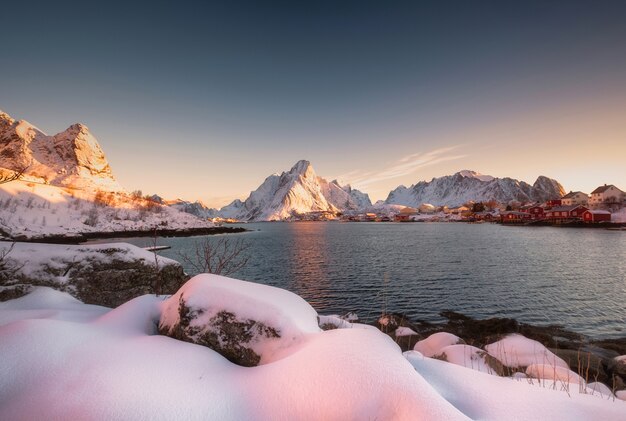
300	190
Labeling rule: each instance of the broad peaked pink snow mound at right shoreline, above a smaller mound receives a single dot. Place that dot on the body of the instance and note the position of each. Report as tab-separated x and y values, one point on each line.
518	351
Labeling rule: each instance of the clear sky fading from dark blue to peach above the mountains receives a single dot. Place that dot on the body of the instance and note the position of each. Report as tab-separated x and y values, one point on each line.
204	100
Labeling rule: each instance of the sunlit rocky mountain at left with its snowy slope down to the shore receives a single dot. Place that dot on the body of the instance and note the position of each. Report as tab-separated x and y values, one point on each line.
68	188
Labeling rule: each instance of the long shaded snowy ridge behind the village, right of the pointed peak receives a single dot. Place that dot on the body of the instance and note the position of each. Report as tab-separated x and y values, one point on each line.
464	186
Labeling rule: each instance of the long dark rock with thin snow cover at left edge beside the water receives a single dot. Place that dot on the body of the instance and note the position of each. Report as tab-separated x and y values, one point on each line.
104	274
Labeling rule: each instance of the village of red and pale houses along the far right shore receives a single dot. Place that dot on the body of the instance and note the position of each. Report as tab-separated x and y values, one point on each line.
606	205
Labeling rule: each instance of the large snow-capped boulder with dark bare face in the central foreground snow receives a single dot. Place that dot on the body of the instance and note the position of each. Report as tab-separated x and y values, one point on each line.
247	323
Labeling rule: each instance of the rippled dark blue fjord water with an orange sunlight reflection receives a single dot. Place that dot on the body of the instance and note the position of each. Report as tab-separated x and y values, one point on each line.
540	275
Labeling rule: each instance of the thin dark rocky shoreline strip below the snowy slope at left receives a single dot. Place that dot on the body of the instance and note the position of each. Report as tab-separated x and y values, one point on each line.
86	236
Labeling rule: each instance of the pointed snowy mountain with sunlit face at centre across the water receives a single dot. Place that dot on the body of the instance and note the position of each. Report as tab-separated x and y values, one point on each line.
296	191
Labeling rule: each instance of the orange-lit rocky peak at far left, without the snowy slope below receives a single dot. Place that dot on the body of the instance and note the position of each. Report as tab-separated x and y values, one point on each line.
72	158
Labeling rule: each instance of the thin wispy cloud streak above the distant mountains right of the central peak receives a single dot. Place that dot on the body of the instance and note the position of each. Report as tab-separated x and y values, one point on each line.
404	166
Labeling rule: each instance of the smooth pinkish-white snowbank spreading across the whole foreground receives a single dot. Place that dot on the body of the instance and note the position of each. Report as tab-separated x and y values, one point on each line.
60	359
